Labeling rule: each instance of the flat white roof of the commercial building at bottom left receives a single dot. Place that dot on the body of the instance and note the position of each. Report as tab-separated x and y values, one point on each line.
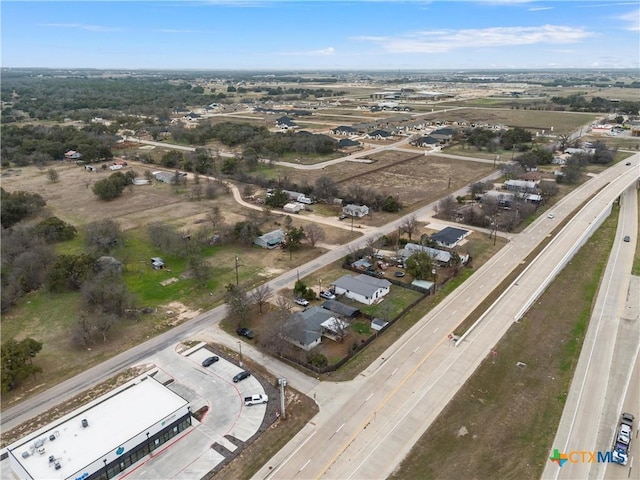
112	419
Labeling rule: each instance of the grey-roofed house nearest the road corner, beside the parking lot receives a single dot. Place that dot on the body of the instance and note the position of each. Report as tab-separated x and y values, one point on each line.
305	329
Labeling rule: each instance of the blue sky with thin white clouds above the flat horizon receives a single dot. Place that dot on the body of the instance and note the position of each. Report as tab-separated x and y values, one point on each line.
321	35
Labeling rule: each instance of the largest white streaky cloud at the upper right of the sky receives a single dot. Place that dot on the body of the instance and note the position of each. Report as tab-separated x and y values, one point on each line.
438	41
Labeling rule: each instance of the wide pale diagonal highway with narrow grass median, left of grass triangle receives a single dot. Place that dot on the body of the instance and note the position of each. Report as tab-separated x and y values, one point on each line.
405	389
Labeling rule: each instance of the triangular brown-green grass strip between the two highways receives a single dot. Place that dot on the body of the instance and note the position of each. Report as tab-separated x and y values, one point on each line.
511	410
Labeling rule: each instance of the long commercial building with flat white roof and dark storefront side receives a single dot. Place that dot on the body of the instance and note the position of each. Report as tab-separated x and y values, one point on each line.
105	437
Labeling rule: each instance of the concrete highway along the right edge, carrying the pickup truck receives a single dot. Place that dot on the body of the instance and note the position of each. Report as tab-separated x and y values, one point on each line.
610	350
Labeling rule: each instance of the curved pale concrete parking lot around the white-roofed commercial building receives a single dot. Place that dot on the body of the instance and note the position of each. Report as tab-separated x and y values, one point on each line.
225	427
